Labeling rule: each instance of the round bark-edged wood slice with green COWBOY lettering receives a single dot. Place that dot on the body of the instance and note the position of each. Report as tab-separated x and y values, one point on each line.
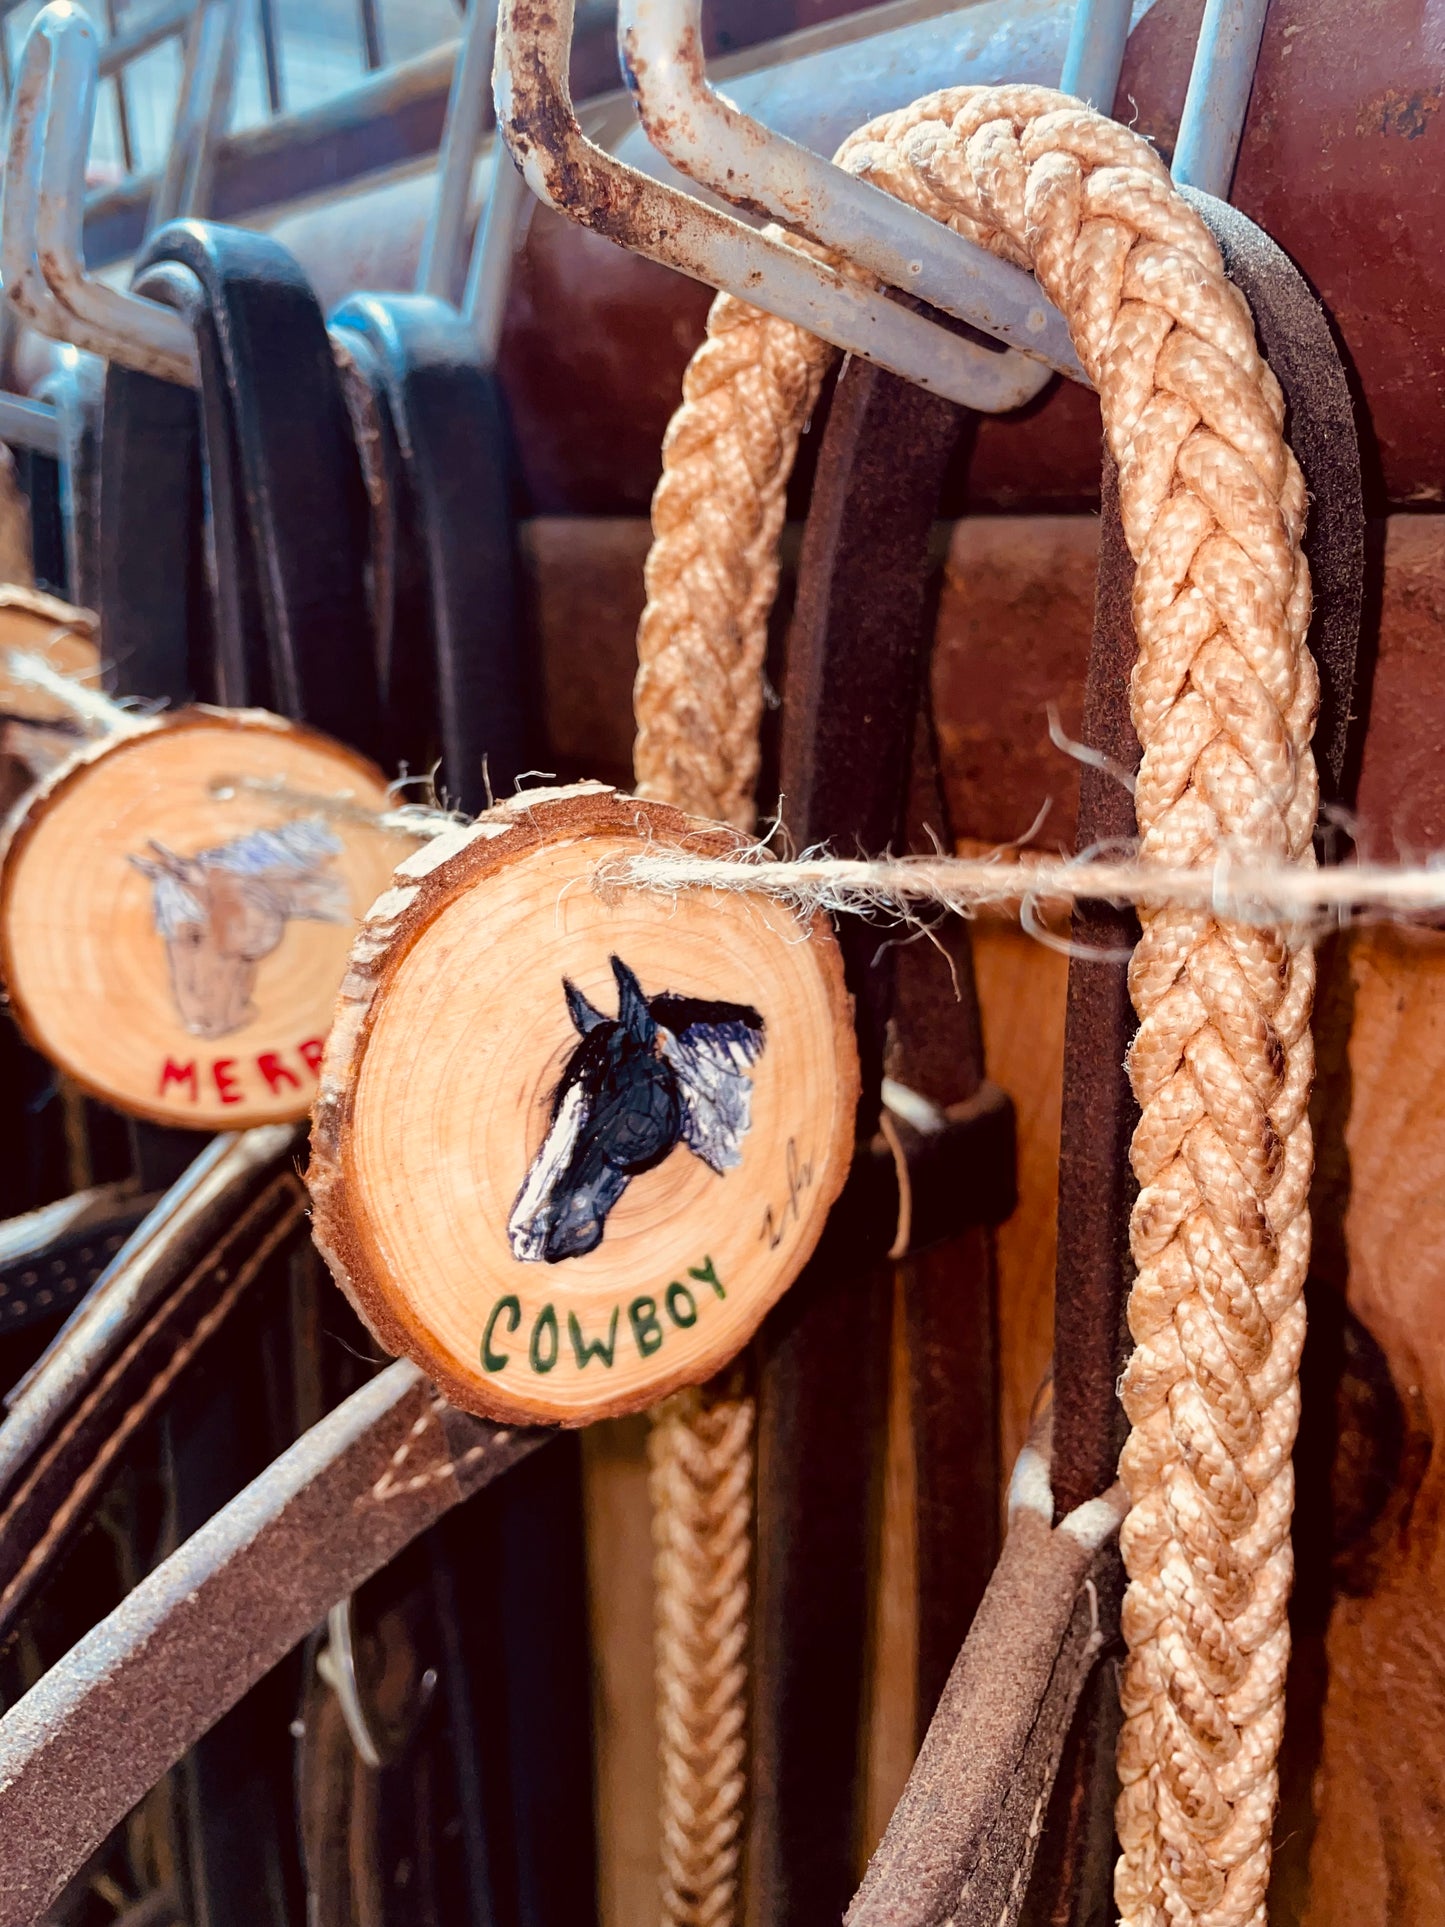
573	1144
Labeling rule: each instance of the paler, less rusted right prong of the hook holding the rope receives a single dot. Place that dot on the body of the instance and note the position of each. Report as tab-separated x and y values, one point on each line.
754	167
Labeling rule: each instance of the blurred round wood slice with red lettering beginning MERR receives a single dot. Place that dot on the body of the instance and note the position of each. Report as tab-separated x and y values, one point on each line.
178	951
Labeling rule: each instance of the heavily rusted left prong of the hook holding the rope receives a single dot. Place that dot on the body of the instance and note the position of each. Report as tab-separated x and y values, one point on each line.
575	176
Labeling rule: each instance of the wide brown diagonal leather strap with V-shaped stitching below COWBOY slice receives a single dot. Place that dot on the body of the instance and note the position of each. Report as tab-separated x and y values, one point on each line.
219	1614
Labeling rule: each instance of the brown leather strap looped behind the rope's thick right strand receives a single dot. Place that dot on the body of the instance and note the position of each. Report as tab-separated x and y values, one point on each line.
989	1780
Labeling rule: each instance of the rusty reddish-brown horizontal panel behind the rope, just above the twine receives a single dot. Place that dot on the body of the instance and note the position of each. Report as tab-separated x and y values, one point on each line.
1014	621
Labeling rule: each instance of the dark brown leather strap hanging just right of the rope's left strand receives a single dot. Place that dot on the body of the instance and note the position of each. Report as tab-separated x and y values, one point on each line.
854	675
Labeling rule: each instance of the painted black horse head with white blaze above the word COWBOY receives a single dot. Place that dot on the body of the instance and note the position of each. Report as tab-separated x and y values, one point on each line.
666	1070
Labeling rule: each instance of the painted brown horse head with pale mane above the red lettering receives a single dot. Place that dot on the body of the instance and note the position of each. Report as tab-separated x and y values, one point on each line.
223	911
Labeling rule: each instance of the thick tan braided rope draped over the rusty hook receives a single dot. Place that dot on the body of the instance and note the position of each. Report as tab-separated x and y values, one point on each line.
1222	699
